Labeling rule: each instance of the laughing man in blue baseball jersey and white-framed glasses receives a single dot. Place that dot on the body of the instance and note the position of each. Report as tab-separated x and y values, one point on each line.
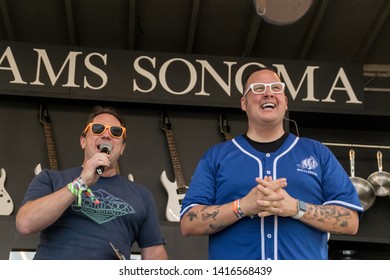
268	194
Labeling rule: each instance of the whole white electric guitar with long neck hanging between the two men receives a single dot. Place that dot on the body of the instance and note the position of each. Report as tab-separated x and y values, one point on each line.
176	190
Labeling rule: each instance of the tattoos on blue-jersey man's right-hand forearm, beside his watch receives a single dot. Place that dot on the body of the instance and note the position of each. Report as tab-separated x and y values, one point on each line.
338	215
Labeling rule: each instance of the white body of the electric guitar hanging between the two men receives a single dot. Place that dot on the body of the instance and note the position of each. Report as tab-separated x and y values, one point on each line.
175	198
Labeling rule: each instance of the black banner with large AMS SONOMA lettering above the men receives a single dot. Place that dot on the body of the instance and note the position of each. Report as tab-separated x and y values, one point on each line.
130	76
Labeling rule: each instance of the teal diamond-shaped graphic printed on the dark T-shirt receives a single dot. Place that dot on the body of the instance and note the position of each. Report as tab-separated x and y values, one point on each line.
108	209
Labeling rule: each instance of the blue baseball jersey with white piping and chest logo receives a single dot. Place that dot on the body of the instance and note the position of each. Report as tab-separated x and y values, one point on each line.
227	172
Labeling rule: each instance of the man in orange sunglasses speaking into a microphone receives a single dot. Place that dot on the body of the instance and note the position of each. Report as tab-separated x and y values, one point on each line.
85	214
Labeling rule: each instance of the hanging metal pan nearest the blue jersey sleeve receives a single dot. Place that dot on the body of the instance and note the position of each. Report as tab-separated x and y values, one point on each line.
364	189
